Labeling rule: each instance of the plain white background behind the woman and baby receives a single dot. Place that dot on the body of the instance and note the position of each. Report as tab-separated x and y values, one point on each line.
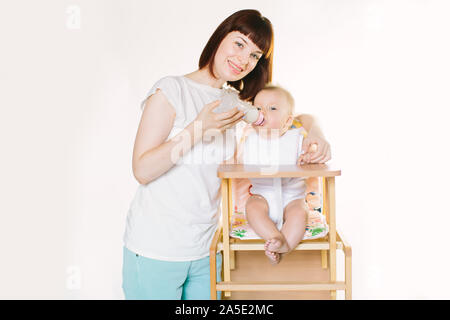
73	73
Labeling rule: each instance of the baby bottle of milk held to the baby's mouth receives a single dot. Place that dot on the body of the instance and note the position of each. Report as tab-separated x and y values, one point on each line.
230	99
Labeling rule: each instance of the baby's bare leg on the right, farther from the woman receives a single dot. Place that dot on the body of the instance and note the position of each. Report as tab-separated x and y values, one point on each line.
293	229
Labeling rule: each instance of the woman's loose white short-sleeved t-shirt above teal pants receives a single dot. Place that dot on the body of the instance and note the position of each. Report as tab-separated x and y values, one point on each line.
174	217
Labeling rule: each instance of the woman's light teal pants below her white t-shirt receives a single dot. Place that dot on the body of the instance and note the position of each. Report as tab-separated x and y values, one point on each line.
150	279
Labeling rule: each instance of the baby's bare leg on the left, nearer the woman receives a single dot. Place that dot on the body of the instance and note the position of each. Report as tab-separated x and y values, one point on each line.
257	212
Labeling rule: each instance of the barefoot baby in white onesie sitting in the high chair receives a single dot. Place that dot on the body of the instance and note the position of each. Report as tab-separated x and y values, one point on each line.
276	209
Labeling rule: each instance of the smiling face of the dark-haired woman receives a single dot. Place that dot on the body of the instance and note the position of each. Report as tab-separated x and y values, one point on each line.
236	57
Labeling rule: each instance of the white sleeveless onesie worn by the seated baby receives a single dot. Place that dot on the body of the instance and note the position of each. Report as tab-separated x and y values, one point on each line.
284	150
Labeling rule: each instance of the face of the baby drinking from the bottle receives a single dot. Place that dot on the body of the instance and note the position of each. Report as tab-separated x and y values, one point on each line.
275	108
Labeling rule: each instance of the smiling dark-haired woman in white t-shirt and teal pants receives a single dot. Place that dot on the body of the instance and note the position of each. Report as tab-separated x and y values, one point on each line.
175	212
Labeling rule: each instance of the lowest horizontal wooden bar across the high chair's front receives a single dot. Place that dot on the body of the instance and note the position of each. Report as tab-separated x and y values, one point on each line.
279	286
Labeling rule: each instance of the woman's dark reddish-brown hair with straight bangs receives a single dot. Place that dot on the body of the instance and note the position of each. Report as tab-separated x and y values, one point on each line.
259	29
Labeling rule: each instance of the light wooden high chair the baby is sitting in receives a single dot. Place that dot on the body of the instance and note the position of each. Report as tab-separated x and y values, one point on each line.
328	245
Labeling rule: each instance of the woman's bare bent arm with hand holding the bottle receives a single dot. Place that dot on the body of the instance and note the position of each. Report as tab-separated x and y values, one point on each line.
152	154
